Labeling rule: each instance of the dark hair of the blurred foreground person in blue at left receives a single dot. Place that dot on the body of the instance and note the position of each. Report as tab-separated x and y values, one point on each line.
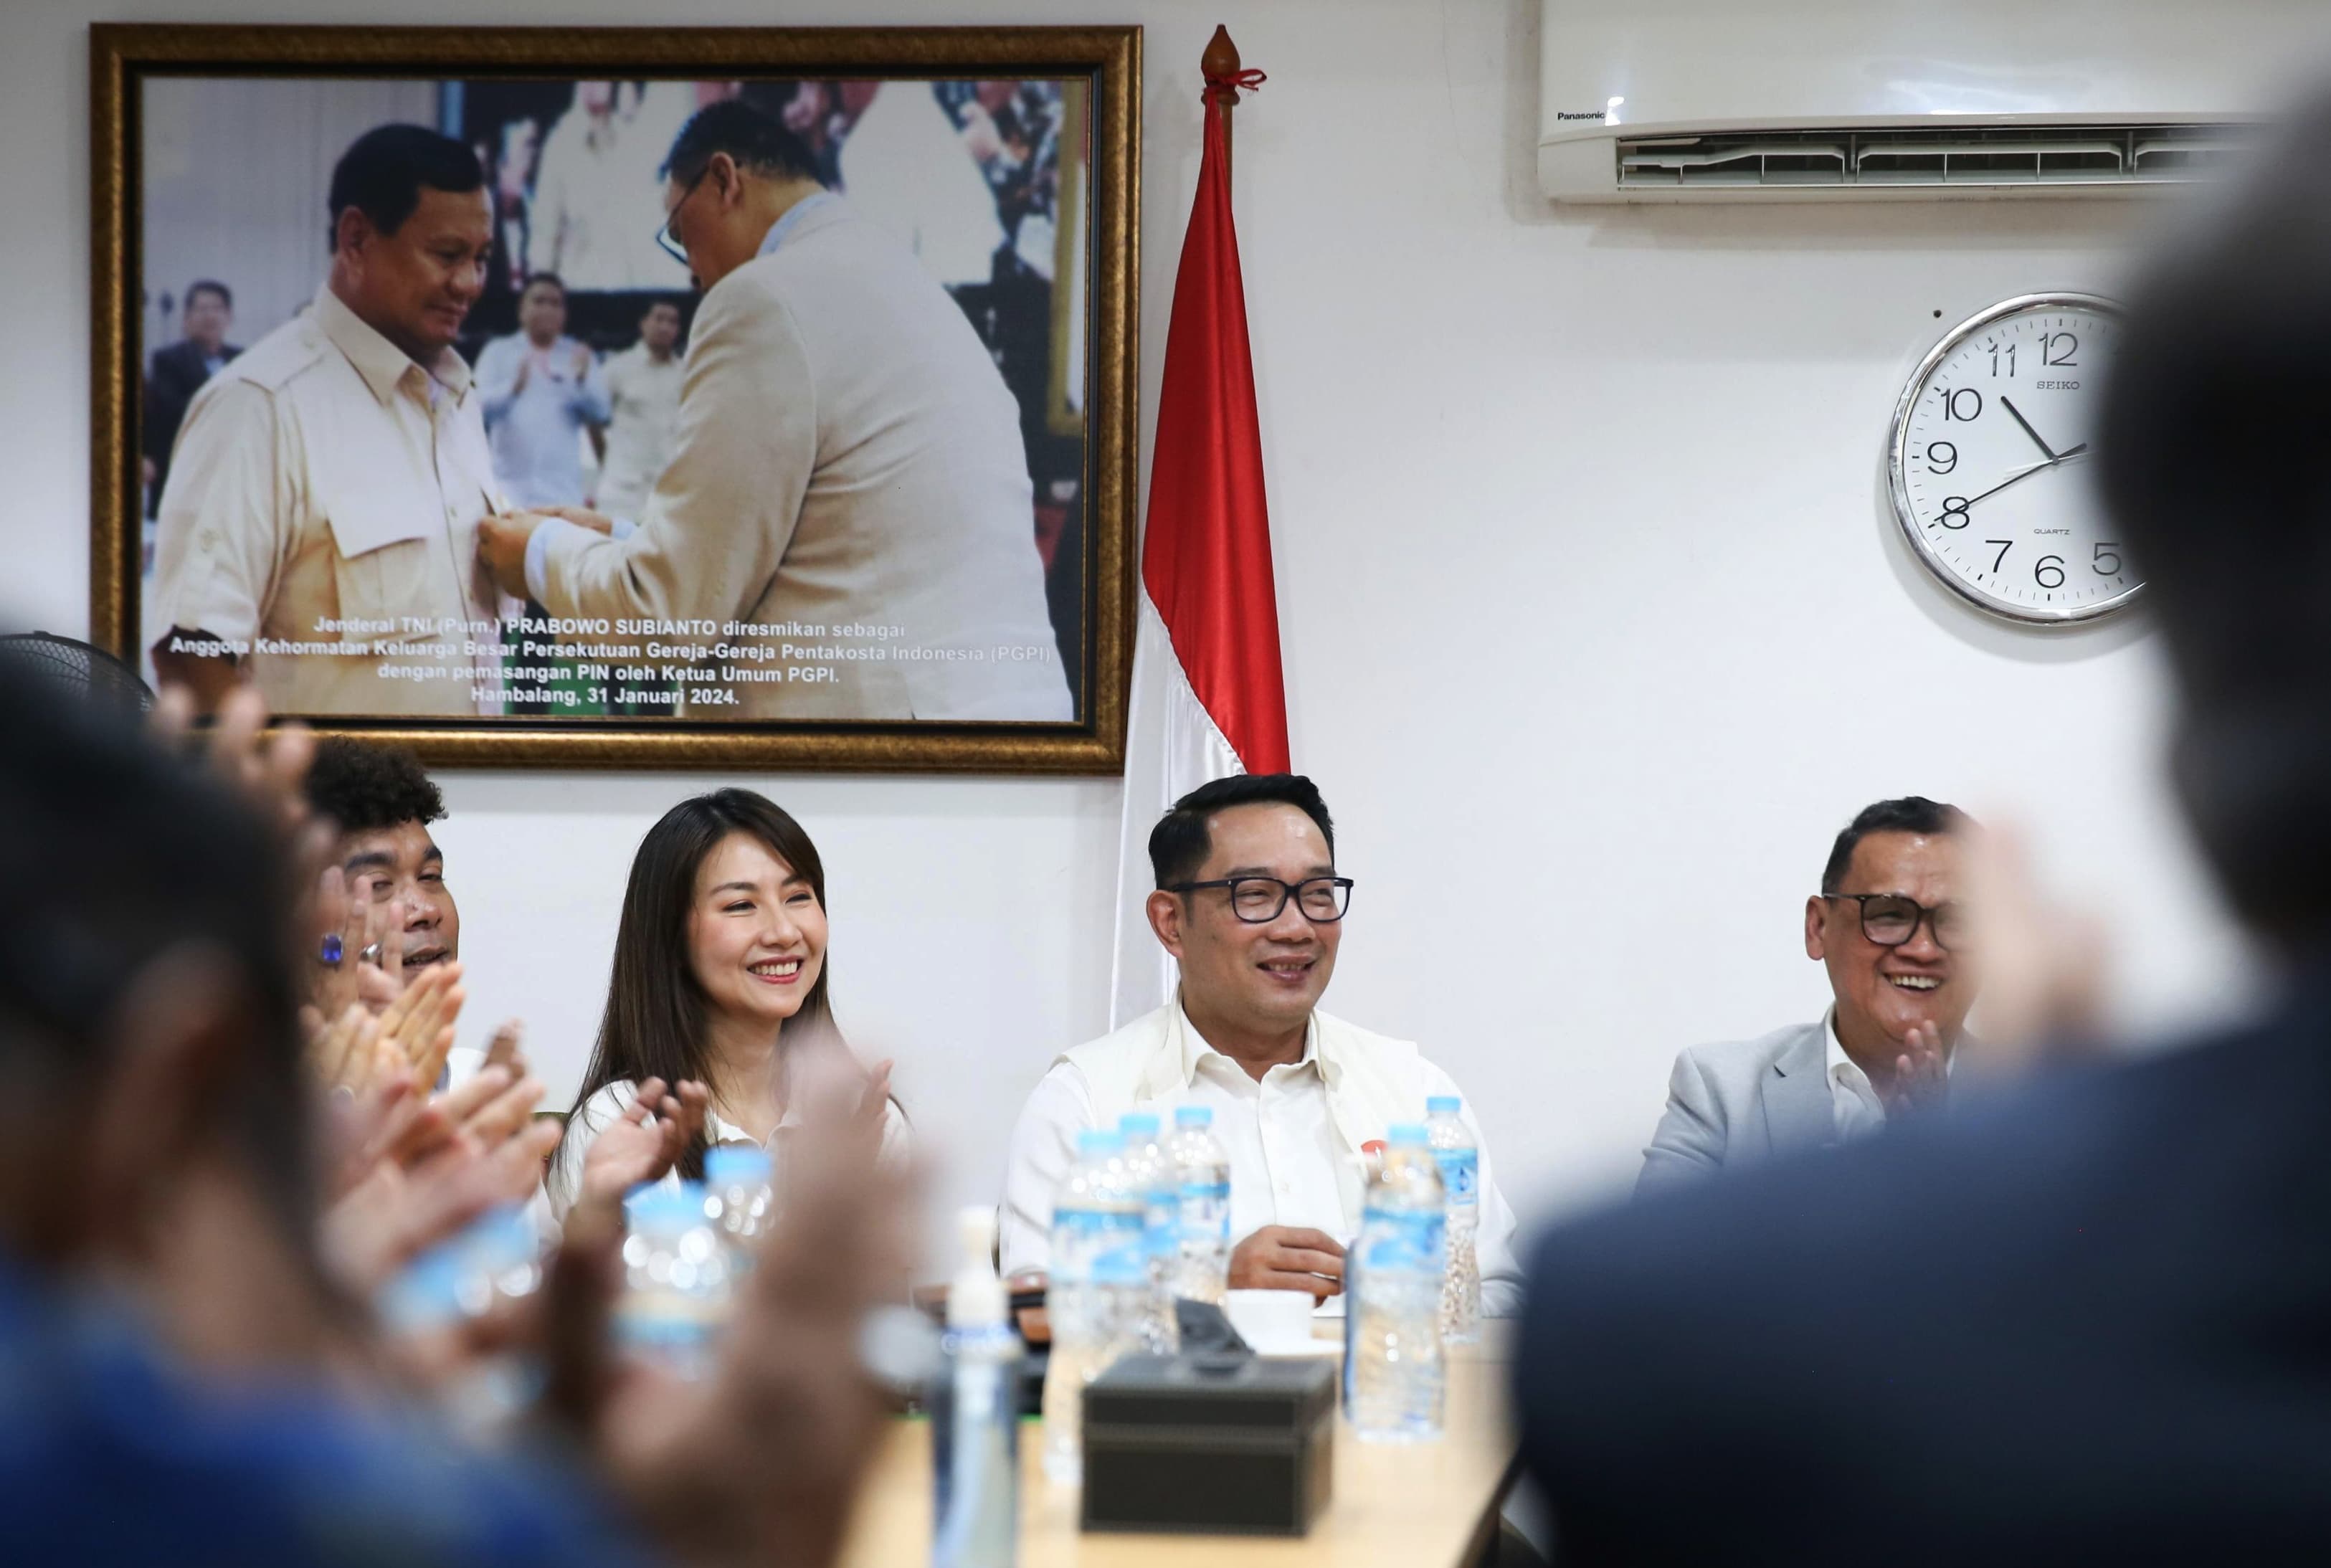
113	854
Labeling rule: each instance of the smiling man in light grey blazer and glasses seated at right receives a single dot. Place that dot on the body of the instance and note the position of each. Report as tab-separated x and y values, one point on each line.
1894	935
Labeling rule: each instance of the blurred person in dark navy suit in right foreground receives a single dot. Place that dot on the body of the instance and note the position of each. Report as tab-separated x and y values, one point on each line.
2085	1322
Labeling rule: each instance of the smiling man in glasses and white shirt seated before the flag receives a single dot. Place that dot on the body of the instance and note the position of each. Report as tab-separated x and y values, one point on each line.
1253	910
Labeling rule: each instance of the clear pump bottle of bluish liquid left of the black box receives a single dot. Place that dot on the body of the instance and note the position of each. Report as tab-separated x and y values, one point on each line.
976	1413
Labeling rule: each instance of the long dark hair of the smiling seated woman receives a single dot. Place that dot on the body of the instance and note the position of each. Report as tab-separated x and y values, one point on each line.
656	1022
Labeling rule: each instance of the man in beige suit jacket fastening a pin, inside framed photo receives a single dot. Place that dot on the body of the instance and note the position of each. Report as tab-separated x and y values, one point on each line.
850	465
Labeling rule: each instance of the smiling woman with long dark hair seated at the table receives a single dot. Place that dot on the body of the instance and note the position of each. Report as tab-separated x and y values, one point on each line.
721	980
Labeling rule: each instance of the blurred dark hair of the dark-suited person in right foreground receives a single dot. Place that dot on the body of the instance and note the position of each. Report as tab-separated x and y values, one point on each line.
2209	460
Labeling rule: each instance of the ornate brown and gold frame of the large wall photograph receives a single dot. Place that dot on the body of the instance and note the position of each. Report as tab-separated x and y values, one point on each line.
1097	73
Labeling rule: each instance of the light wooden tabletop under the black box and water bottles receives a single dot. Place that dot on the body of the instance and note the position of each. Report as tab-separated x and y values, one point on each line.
1428	1506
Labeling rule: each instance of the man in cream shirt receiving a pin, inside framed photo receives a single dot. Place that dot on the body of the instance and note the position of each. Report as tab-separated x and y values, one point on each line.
318	530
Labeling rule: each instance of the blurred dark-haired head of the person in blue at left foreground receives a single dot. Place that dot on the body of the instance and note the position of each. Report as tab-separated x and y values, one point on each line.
155	1126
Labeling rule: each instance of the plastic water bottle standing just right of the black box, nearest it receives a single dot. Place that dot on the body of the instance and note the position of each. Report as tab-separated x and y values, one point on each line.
1393	1371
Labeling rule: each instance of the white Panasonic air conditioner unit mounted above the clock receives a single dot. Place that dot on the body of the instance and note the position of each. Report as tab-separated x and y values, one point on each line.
1908	99
